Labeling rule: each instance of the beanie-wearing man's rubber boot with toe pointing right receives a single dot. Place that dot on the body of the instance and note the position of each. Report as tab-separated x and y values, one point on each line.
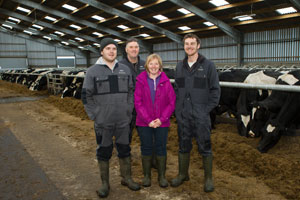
125	169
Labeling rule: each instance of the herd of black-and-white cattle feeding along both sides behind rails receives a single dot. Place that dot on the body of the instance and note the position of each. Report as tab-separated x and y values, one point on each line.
258	113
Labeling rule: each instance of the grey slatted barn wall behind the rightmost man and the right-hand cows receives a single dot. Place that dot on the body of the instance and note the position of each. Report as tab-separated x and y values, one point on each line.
267	46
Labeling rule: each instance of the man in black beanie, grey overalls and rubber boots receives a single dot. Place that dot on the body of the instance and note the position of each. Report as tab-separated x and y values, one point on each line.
107	95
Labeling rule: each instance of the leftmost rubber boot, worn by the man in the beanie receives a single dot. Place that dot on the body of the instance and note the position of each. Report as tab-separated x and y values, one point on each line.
104	173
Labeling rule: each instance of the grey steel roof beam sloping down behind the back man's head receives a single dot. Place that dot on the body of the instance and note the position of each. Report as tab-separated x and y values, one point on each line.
49	10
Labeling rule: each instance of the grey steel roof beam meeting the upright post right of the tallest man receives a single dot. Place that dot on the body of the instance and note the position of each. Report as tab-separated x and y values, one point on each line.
232	32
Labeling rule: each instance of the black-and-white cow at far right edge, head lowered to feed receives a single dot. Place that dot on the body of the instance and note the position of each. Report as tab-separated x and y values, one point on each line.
288	114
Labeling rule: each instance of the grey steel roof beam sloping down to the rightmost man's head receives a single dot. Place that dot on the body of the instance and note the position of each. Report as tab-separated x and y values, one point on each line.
131	18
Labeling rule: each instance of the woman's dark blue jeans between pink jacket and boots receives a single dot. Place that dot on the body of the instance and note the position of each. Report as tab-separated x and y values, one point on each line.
153	140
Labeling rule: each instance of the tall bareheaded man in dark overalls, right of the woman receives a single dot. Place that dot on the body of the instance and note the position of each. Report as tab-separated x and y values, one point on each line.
197	93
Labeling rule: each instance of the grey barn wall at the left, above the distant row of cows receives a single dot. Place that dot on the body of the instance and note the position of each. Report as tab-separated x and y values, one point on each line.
17	52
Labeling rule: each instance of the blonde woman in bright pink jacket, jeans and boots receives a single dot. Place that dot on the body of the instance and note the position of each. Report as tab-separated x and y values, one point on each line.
154	100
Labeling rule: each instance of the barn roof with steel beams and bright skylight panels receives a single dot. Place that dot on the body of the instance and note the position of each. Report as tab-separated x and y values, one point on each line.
83	23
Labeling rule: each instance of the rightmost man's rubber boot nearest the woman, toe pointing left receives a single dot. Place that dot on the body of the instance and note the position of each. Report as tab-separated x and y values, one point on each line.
183	175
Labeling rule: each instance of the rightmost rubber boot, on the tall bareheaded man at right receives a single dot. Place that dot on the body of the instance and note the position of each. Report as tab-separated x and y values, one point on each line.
208	181
